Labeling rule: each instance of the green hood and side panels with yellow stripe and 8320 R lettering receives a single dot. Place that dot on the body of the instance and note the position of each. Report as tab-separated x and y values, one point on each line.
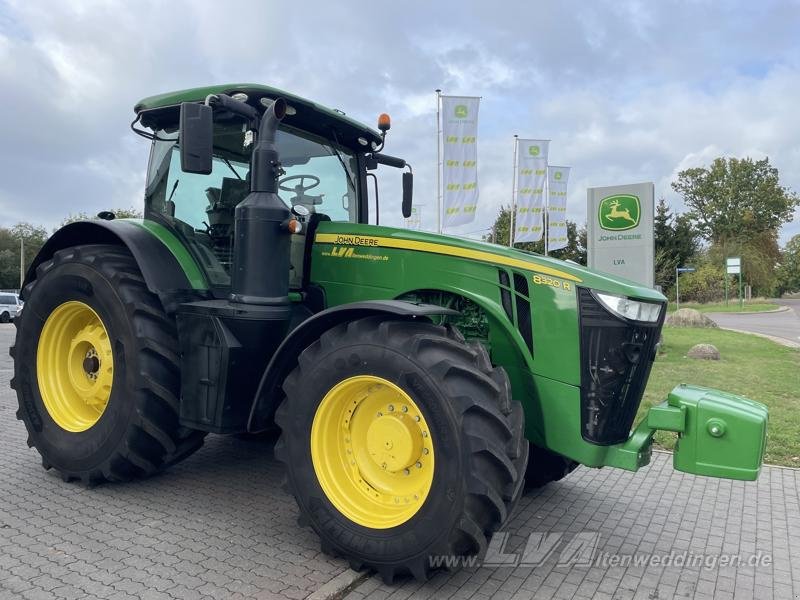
355	262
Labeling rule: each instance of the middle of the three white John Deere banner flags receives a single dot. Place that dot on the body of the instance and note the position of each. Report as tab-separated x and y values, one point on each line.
531	175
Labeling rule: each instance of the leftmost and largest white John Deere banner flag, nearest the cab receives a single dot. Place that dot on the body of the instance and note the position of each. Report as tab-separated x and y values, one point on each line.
459	159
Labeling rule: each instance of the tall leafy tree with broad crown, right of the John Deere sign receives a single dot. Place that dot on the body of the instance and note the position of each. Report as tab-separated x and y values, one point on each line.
734	199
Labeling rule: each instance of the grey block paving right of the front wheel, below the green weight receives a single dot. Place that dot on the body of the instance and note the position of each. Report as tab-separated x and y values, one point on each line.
654	512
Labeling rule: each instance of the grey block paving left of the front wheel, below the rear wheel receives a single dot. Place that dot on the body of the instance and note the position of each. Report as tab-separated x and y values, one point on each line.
217	525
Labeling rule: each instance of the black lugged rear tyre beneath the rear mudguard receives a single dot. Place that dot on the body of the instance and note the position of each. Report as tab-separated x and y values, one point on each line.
137	432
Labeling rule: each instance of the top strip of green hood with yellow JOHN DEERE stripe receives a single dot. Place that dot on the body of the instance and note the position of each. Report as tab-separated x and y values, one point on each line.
389	237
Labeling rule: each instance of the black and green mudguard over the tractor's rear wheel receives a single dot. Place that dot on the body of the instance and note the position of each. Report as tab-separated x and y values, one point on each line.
168	269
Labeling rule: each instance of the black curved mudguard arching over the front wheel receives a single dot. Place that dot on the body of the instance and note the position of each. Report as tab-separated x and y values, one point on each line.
284	360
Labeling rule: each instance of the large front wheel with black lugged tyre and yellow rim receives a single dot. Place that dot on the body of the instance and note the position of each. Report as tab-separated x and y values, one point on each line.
401	444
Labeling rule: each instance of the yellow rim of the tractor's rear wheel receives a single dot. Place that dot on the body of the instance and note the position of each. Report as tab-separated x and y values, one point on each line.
74	366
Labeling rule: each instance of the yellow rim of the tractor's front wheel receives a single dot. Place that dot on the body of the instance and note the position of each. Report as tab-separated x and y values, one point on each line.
372	452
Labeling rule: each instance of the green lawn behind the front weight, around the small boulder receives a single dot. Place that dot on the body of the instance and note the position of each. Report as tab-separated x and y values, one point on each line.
750	366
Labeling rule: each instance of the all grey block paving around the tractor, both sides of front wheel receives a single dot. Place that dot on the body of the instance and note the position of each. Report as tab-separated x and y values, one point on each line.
218	525
